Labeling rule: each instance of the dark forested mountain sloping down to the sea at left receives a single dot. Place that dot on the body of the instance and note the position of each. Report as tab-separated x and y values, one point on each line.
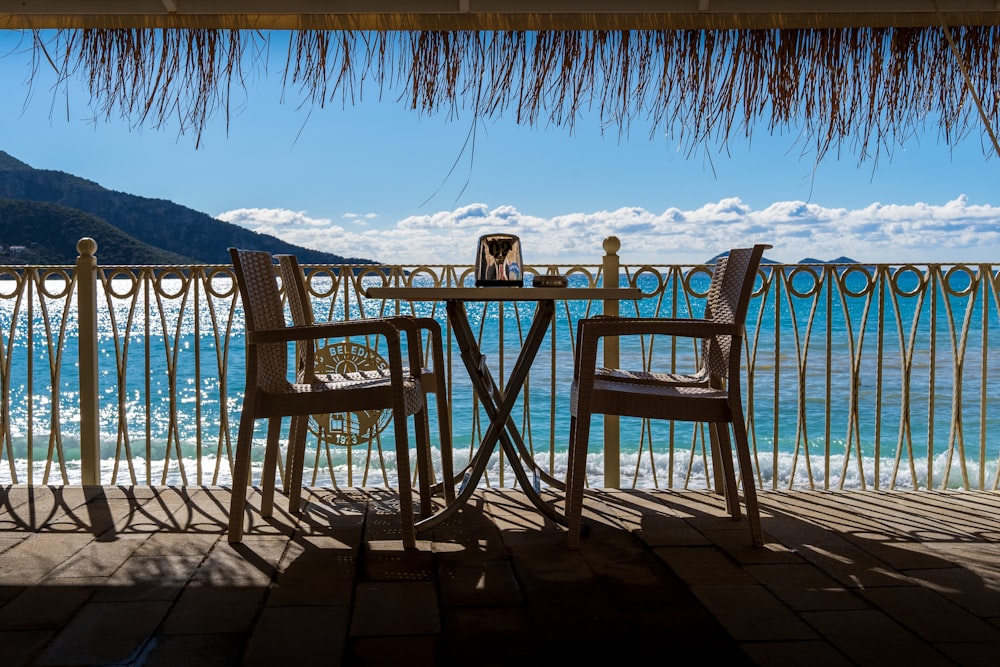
138	230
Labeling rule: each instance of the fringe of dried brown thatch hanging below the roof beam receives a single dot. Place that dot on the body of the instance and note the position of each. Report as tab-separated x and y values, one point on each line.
869	88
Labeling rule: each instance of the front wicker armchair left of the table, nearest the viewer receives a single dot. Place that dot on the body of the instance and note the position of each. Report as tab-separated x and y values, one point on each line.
270	395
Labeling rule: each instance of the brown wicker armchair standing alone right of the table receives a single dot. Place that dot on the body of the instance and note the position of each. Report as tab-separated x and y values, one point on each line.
711	395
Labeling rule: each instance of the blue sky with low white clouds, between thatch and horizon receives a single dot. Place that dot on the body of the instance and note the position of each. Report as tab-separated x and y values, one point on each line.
376	179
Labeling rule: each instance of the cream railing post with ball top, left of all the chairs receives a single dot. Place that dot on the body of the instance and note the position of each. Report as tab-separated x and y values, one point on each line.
90	432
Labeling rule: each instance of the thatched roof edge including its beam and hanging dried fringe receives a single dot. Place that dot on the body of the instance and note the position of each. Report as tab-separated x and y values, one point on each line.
862	75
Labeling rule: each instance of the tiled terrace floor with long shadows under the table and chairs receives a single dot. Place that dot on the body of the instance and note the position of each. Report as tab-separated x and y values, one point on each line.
145	576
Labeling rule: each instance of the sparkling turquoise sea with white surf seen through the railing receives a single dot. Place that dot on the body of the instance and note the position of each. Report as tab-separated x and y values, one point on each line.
823	410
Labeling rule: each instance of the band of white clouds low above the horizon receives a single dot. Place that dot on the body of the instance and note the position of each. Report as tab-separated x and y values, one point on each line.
955	231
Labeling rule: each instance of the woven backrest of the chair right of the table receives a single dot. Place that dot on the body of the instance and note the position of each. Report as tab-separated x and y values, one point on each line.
728	301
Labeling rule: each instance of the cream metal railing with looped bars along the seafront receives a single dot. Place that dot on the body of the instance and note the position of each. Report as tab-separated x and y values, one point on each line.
869	377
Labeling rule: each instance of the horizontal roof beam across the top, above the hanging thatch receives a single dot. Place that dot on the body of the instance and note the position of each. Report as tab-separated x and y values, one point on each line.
492	14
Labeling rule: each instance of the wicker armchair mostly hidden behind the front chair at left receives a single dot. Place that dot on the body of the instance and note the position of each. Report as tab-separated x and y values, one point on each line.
432	381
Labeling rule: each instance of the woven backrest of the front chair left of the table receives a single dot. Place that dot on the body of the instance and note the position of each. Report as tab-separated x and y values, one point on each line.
258	286
